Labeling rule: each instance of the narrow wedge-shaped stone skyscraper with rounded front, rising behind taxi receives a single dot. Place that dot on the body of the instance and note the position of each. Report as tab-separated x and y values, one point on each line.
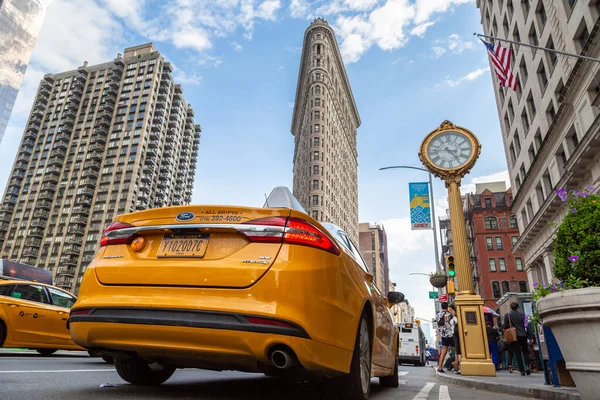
324	127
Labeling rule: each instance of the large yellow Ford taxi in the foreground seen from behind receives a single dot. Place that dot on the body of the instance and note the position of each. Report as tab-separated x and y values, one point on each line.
236	288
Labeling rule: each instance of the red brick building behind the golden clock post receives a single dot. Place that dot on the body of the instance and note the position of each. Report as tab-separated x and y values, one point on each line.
493	231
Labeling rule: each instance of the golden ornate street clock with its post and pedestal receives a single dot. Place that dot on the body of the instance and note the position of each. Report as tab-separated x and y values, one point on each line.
472	333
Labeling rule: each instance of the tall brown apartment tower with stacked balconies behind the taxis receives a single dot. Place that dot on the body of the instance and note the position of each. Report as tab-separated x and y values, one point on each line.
101	140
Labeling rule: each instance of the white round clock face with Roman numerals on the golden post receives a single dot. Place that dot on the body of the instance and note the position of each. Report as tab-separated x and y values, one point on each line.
450	150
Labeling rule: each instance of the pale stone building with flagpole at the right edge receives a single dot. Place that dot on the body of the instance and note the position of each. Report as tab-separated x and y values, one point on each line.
550	124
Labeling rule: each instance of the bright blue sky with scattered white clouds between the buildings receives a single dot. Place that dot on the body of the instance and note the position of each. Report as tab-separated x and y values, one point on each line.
411	65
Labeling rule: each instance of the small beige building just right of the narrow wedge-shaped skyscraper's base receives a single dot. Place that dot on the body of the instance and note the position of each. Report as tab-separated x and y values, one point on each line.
373	248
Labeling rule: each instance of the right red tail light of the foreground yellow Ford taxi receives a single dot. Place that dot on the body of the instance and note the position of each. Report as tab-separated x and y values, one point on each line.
297	231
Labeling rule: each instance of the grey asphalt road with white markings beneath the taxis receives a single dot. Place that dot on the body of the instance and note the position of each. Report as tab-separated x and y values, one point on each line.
73	376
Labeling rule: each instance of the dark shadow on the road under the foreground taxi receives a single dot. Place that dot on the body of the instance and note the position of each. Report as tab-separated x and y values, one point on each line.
245	388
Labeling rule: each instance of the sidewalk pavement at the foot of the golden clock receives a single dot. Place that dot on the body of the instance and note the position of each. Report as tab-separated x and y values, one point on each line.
528	386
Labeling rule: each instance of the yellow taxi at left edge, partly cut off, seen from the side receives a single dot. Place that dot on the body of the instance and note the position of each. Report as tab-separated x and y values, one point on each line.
34	316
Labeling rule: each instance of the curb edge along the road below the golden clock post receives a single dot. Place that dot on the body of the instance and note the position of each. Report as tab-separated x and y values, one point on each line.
538	393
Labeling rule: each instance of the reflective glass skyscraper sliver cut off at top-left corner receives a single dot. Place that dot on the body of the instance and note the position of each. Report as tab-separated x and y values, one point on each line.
20	23
